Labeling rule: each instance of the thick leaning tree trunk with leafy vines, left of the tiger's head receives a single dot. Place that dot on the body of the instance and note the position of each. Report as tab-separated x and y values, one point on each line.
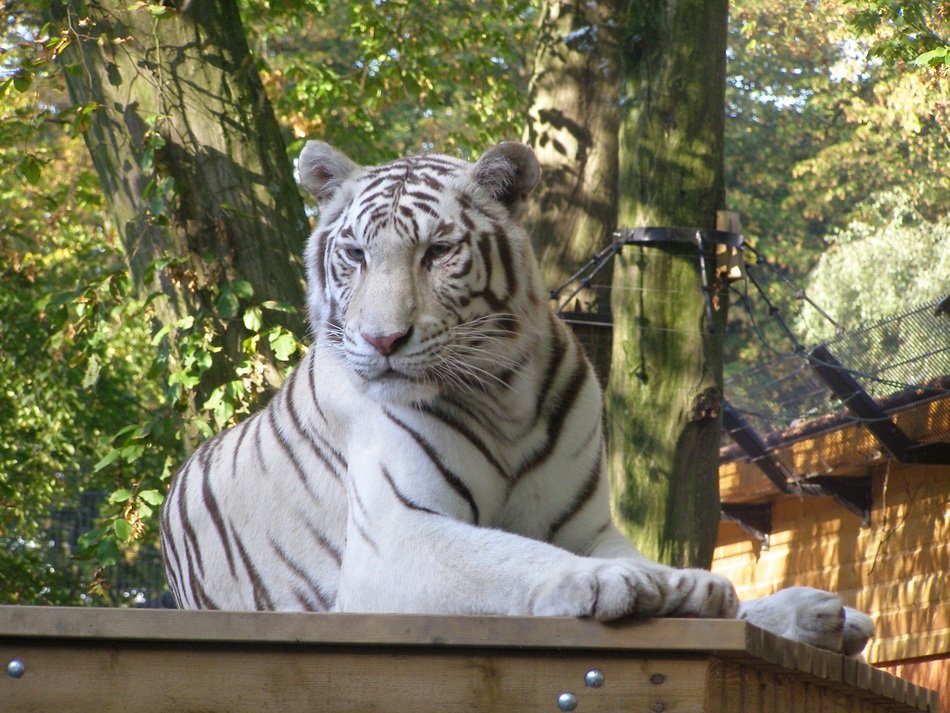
192	162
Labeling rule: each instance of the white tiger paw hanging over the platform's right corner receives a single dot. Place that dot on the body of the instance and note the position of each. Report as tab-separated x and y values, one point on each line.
811	616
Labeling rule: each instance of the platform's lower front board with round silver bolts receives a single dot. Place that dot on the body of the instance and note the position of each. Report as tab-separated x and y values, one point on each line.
237	679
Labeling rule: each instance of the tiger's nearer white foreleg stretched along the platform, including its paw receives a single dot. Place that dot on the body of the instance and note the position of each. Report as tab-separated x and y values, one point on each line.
423	562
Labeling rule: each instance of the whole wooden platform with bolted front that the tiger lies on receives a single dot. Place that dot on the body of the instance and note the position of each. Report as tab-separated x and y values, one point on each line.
102	660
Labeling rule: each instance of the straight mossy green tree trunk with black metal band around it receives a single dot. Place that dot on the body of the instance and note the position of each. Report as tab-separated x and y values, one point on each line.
665	387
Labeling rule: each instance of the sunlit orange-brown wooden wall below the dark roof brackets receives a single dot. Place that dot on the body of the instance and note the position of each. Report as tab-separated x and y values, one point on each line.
897	570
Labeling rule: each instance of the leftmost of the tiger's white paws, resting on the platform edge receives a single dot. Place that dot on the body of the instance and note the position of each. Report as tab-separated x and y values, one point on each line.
603	590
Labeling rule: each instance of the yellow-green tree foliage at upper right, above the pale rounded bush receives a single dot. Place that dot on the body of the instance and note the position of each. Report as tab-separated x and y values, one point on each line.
816	128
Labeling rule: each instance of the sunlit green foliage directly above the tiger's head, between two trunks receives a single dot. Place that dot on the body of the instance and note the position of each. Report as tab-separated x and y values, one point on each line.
382	79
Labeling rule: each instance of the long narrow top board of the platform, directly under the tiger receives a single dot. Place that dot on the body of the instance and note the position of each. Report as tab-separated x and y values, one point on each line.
720	635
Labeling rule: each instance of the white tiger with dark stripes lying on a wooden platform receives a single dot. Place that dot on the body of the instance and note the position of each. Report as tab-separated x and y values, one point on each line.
439	449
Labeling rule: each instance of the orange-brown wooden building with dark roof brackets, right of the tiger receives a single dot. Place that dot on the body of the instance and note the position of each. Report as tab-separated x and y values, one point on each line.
864	512
